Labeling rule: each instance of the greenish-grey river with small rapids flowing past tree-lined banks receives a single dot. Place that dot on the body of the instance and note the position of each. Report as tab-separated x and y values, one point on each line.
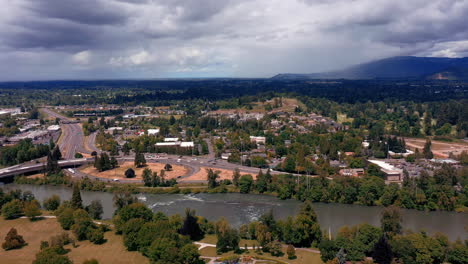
239	209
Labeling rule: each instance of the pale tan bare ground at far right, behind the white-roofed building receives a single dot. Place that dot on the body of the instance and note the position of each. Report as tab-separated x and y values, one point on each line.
439	148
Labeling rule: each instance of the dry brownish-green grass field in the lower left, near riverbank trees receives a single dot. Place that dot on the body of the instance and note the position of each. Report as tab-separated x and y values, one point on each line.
113	251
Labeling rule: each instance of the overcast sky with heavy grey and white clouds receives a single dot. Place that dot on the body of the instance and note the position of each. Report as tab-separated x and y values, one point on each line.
95	39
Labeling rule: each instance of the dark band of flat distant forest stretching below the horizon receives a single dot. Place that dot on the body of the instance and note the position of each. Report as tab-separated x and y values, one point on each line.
160	91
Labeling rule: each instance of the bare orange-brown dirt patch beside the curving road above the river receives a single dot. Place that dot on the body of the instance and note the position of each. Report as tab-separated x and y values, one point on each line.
177	170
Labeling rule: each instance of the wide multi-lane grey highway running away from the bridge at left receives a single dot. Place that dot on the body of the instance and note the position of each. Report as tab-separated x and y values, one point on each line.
72	139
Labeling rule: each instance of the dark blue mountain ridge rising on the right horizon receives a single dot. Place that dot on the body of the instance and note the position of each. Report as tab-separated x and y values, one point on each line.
406	67
